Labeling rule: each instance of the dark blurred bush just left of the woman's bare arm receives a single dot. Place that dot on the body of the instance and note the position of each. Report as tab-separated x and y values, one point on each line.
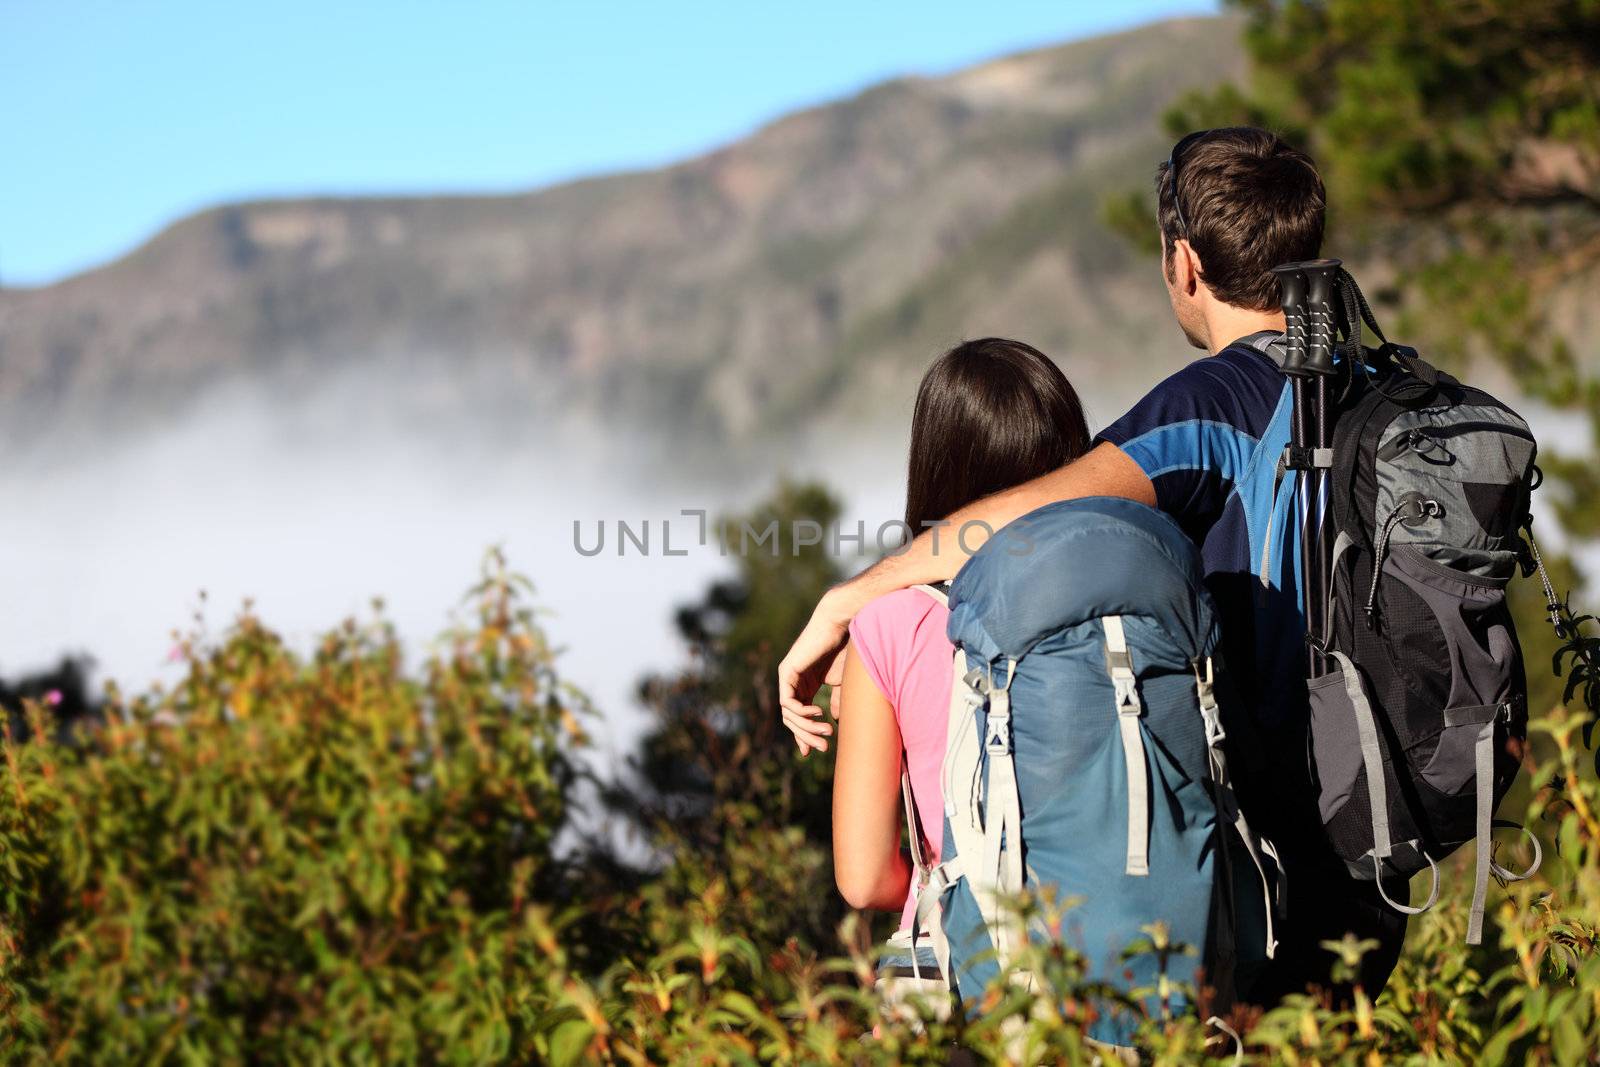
722	791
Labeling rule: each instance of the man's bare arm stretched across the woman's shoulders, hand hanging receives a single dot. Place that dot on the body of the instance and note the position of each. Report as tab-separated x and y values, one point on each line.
934	557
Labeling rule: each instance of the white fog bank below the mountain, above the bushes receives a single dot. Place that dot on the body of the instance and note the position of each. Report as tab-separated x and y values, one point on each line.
311	519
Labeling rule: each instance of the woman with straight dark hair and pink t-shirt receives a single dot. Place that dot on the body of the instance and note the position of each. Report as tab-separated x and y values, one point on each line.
990	415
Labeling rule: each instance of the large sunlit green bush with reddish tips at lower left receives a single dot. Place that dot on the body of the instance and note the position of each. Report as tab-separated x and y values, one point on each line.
306	860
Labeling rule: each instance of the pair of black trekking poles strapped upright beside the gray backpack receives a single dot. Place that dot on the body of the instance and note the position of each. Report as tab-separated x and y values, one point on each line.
1308	294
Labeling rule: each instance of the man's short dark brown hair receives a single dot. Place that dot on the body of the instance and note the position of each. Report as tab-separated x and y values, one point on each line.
1249	202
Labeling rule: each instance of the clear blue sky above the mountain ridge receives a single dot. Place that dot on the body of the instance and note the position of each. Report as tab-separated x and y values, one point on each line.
122	118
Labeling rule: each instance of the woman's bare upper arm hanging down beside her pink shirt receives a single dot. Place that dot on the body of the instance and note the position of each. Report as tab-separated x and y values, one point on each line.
868	861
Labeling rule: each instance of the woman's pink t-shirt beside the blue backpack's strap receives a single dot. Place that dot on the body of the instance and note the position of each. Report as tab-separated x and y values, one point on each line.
902	642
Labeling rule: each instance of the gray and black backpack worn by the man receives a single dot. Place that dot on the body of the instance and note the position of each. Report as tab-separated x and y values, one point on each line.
1430	494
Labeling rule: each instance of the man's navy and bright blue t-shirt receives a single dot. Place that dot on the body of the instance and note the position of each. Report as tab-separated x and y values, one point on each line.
1210	439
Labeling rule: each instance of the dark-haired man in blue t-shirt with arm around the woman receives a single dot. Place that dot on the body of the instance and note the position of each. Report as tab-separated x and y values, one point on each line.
1204	447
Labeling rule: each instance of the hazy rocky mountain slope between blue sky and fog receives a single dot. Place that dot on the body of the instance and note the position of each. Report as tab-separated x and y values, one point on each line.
815	265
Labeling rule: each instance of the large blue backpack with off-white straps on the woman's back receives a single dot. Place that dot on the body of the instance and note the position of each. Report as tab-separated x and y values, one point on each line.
1086	757
